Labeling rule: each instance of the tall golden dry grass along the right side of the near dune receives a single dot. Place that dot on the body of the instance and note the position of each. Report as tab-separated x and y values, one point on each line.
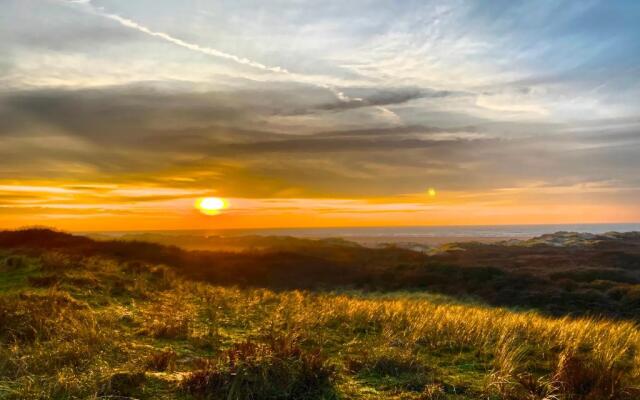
532	356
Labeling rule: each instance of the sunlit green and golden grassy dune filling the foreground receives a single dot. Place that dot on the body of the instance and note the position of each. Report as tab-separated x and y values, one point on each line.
97	328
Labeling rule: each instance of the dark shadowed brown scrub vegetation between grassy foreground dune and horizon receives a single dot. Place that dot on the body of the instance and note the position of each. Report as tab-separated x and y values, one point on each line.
559	274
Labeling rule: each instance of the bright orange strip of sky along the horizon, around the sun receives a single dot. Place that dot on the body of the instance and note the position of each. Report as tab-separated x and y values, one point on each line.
115	208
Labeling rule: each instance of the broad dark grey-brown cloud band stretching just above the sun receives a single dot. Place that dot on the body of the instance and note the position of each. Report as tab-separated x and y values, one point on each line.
145	135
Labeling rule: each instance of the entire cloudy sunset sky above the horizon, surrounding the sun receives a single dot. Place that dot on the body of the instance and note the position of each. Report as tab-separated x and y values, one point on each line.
119	114
